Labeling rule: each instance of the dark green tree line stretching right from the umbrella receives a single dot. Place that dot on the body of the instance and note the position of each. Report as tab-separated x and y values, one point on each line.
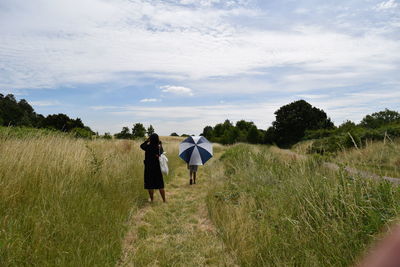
299	121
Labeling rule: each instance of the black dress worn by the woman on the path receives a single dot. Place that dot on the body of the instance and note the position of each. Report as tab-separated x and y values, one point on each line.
152	172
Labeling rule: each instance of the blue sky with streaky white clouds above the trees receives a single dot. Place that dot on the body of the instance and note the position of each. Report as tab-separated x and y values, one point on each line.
181	65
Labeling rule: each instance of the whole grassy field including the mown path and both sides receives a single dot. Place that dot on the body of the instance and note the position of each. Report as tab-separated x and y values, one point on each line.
76	202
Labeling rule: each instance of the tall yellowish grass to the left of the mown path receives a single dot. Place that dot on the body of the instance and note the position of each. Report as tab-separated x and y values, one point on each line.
65	201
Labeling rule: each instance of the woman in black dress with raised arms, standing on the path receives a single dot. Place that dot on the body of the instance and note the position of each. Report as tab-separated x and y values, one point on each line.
152	172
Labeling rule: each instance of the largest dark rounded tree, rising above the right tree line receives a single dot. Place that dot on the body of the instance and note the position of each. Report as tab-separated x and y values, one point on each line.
292	120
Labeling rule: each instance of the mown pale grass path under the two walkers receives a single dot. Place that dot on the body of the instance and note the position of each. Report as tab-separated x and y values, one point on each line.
176	233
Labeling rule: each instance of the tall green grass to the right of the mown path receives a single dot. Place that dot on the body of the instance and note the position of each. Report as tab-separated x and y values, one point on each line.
273	209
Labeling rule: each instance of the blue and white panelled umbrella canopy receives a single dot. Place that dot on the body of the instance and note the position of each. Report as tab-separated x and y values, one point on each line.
195	150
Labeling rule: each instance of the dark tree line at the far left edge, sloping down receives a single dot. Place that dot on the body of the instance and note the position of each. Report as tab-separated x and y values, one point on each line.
21	113
